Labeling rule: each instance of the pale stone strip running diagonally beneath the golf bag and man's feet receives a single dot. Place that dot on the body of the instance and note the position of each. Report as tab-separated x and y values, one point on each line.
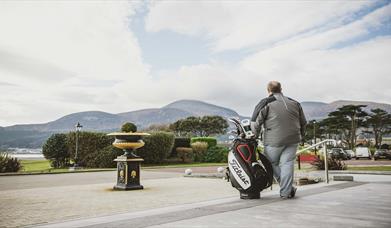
189	211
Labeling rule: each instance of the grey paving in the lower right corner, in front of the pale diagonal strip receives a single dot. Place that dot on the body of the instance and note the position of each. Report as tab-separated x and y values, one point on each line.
367	205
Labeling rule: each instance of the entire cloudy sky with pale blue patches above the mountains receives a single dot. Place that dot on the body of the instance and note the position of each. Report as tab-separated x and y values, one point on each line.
58	58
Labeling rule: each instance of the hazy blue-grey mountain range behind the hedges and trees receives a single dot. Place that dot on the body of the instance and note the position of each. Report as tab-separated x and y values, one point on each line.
33	135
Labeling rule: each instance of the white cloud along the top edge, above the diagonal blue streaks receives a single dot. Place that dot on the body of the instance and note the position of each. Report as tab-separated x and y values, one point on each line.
235	25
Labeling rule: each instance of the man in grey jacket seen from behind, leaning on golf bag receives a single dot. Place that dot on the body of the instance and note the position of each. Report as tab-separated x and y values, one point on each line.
282	122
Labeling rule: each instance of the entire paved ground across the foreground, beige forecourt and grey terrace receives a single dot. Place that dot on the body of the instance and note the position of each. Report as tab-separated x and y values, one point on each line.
170	200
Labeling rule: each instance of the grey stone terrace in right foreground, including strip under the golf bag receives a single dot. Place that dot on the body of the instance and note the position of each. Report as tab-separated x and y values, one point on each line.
335	205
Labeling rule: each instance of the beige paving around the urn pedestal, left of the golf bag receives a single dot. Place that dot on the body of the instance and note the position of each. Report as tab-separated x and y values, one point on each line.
20	207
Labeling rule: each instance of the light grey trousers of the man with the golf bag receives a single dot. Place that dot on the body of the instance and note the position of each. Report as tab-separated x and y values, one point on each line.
283	162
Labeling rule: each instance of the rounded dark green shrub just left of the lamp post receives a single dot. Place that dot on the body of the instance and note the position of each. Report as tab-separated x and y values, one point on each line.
55	150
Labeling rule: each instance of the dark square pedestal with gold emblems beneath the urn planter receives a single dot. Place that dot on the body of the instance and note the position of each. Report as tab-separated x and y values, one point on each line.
128	173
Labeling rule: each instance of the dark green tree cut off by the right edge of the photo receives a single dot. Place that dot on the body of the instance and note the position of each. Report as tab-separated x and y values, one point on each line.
380	122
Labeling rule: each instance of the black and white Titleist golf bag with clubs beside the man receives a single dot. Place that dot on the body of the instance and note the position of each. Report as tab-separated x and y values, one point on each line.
247	174
